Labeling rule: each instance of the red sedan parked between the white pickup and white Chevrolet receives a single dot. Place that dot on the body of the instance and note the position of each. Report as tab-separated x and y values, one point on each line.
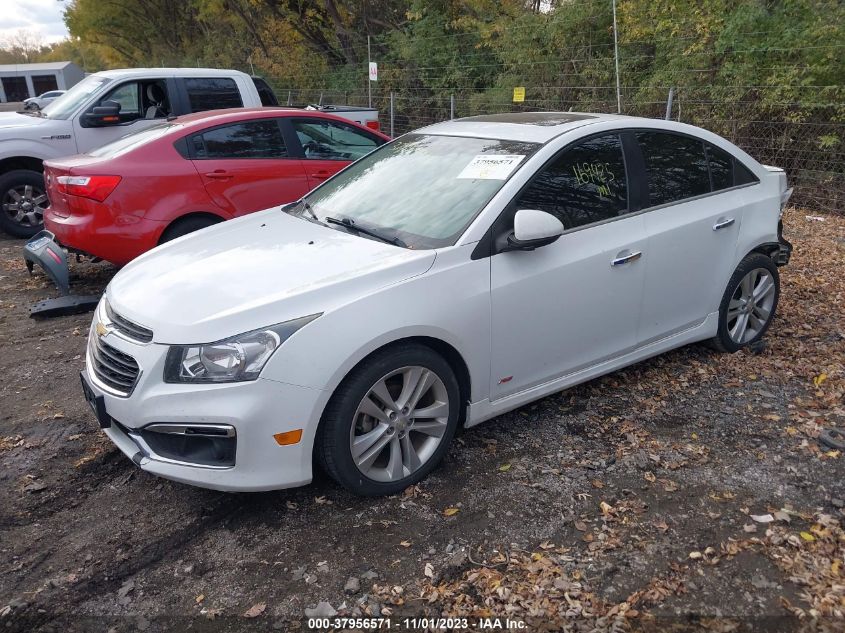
122	199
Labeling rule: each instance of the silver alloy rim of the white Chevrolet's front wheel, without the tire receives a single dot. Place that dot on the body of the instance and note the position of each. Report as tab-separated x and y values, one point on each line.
399	424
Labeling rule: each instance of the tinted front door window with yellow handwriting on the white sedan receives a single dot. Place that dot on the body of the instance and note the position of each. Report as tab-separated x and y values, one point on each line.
584	185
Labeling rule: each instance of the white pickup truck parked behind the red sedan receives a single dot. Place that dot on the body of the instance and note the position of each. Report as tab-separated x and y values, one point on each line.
97	110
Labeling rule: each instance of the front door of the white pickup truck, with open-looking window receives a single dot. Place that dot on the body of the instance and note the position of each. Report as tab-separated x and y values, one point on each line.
143	103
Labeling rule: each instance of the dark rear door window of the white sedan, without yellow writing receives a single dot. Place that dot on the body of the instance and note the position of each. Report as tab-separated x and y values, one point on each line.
676	167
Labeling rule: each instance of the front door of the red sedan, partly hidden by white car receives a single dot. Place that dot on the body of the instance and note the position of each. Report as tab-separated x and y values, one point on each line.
327	145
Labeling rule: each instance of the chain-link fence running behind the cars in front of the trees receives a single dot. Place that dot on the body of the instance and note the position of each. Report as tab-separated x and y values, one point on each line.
812	153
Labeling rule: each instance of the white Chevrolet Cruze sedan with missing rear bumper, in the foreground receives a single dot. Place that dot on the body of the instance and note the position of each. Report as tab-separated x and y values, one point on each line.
448	277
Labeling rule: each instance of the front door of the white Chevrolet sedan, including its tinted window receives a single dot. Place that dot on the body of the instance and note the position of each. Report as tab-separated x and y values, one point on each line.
576	302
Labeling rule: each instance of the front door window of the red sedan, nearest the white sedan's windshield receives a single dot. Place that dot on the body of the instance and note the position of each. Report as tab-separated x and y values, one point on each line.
322	139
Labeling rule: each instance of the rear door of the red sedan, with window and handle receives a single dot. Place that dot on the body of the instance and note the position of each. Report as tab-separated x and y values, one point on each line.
246	166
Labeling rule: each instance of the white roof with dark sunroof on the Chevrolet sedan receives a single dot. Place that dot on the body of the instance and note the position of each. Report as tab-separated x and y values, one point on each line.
536	127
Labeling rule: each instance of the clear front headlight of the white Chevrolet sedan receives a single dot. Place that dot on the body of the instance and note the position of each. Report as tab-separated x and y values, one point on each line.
236	359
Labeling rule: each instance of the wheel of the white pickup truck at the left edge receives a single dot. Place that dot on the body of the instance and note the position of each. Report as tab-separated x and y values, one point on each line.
23	199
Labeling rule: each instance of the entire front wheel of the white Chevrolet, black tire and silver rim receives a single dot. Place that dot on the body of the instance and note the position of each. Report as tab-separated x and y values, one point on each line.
390	422
